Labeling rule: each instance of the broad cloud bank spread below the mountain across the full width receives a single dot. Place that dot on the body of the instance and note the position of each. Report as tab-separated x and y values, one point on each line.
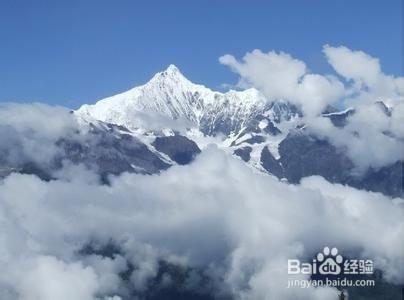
215	214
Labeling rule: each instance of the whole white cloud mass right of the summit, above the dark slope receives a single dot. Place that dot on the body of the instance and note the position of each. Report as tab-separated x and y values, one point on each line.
372	137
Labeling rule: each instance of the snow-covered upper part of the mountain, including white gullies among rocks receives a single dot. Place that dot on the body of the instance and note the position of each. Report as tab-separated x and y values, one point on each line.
245	121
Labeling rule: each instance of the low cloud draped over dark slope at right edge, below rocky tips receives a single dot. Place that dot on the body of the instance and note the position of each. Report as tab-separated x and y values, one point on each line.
370	139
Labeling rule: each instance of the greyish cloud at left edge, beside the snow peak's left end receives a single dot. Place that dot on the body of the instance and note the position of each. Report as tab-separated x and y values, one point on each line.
29	131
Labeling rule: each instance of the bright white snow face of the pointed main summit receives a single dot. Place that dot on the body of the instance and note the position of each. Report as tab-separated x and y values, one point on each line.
168	93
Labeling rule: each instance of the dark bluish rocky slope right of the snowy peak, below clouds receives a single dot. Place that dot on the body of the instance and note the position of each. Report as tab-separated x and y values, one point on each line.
304	155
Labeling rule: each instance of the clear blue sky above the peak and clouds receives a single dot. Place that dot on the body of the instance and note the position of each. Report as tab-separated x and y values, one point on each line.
70	52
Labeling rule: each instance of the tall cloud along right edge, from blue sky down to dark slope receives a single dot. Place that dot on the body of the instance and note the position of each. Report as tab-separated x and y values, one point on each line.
378	139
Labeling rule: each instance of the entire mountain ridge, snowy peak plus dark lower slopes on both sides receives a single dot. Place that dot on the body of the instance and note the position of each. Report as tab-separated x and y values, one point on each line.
114	136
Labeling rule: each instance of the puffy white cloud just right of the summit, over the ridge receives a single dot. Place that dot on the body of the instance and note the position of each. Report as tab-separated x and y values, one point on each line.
280	76
